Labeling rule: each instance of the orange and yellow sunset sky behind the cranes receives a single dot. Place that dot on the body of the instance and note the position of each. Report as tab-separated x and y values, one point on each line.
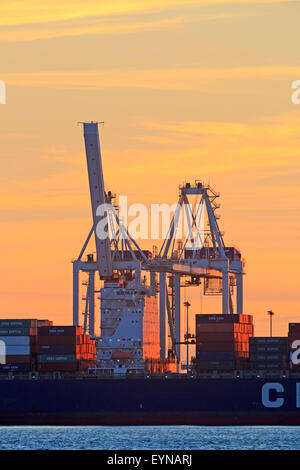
188	90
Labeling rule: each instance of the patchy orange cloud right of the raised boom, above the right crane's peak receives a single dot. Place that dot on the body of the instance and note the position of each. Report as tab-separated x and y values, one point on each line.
223	147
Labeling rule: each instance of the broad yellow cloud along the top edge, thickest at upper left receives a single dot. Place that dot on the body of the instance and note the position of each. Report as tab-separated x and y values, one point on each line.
28	20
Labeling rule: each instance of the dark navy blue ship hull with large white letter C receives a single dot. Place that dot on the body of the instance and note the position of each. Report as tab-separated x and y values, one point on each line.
150	401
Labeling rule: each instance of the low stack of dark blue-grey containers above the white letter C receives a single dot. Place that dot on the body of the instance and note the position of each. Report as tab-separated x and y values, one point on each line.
268	353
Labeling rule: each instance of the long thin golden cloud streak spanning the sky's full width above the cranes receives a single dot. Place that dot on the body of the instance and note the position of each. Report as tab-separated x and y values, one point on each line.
196	79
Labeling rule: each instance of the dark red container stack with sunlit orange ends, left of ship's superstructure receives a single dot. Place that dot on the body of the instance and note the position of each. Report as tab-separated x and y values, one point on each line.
64	349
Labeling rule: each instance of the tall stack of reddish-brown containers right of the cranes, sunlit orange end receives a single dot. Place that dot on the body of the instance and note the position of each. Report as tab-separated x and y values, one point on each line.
222	341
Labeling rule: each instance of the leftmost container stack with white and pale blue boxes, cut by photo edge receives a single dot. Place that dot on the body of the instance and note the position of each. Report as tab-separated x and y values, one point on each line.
18	344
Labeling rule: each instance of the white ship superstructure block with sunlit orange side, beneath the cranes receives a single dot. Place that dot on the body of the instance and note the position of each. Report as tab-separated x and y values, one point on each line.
129	328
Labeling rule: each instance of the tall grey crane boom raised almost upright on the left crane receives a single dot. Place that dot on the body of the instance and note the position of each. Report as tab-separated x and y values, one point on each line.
96	182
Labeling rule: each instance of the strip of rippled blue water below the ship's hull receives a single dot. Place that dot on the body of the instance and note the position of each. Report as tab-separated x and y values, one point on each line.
150	437
